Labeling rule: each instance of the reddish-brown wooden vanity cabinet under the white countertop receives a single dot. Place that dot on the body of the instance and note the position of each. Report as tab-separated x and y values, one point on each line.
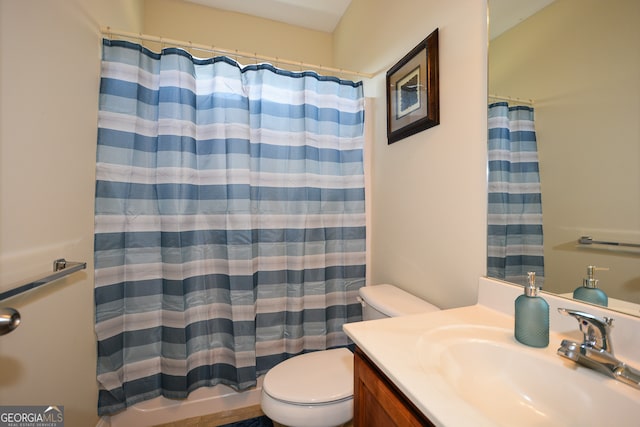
377	401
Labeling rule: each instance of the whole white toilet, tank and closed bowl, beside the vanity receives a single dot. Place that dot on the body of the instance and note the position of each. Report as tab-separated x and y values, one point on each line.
316	389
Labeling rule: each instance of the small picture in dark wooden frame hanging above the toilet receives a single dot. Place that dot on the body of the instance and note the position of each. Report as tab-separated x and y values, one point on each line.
413	102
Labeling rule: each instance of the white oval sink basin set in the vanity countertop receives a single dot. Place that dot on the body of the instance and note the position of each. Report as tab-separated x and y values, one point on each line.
512	384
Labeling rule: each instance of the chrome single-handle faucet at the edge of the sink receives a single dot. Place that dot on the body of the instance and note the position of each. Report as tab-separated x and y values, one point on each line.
596	351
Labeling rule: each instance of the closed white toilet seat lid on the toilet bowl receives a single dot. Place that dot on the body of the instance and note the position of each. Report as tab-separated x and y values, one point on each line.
317	378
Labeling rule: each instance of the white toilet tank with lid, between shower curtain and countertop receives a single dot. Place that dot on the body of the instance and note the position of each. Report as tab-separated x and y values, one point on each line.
380	301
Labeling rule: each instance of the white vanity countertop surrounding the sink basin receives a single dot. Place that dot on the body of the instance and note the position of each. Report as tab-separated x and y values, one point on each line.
394	344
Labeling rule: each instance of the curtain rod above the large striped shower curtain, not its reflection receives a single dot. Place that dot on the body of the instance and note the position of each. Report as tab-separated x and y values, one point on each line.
108	31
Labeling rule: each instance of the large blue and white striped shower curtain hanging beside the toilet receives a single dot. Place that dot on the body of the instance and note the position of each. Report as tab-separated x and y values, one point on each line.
230	224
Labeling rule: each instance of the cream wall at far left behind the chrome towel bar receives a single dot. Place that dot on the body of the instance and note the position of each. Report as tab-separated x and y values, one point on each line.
50	65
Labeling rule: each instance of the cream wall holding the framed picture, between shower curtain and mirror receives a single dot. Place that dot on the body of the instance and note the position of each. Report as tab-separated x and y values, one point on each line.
429	198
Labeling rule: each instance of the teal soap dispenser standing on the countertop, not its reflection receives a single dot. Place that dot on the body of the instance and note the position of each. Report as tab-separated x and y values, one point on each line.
532	316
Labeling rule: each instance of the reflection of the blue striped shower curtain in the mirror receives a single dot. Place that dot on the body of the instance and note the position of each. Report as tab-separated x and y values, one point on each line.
515	200
